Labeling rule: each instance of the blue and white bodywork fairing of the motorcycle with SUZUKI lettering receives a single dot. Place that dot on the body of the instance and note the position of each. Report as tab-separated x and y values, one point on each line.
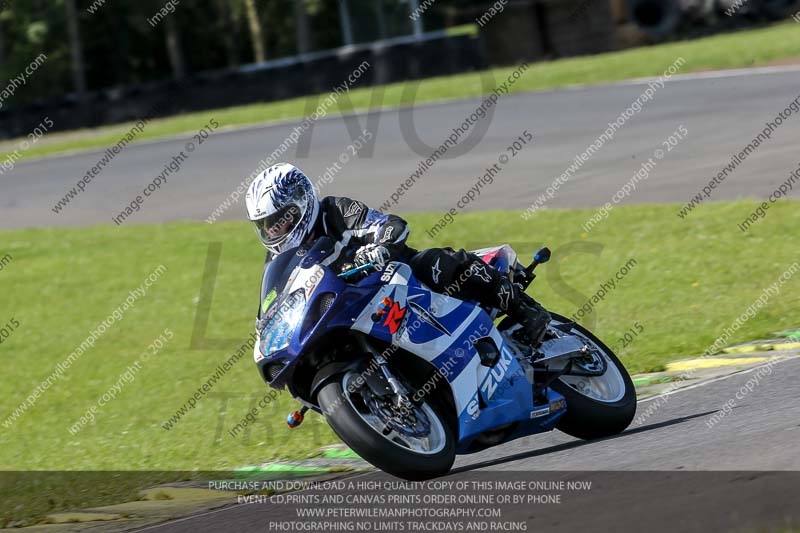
434	327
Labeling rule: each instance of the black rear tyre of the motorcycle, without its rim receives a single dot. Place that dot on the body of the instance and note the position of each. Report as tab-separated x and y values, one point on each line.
588	418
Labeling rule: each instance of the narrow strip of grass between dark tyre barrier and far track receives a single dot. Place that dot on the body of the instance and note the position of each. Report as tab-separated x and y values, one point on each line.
731	50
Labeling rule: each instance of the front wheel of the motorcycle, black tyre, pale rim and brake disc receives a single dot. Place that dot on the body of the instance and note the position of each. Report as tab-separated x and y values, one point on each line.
413	442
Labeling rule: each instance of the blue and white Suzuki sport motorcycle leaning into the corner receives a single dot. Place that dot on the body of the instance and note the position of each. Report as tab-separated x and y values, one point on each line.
408	378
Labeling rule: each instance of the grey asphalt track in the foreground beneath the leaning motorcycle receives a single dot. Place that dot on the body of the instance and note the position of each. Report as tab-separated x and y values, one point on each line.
646	479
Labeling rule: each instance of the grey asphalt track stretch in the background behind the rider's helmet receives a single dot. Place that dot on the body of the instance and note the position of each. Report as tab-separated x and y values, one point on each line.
722	113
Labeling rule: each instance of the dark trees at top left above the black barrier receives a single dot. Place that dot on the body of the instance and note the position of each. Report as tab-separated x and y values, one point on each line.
115	45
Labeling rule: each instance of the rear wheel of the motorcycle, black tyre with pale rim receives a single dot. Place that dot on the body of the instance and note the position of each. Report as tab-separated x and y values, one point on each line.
597	406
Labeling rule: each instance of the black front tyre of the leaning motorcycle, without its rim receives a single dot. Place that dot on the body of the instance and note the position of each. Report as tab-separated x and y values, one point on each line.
377	449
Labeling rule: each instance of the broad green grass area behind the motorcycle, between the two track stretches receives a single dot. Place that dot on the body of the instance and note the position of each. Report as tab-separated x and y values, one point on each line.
690	281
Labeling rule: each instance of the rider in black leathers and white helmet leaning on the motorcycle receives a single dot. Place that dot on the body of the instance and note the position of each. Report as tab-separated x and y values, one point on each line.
283	206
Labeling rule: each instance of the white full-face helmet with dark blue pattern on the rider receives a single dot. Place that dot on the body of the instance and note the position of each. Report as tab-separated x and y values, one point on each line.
283	205
